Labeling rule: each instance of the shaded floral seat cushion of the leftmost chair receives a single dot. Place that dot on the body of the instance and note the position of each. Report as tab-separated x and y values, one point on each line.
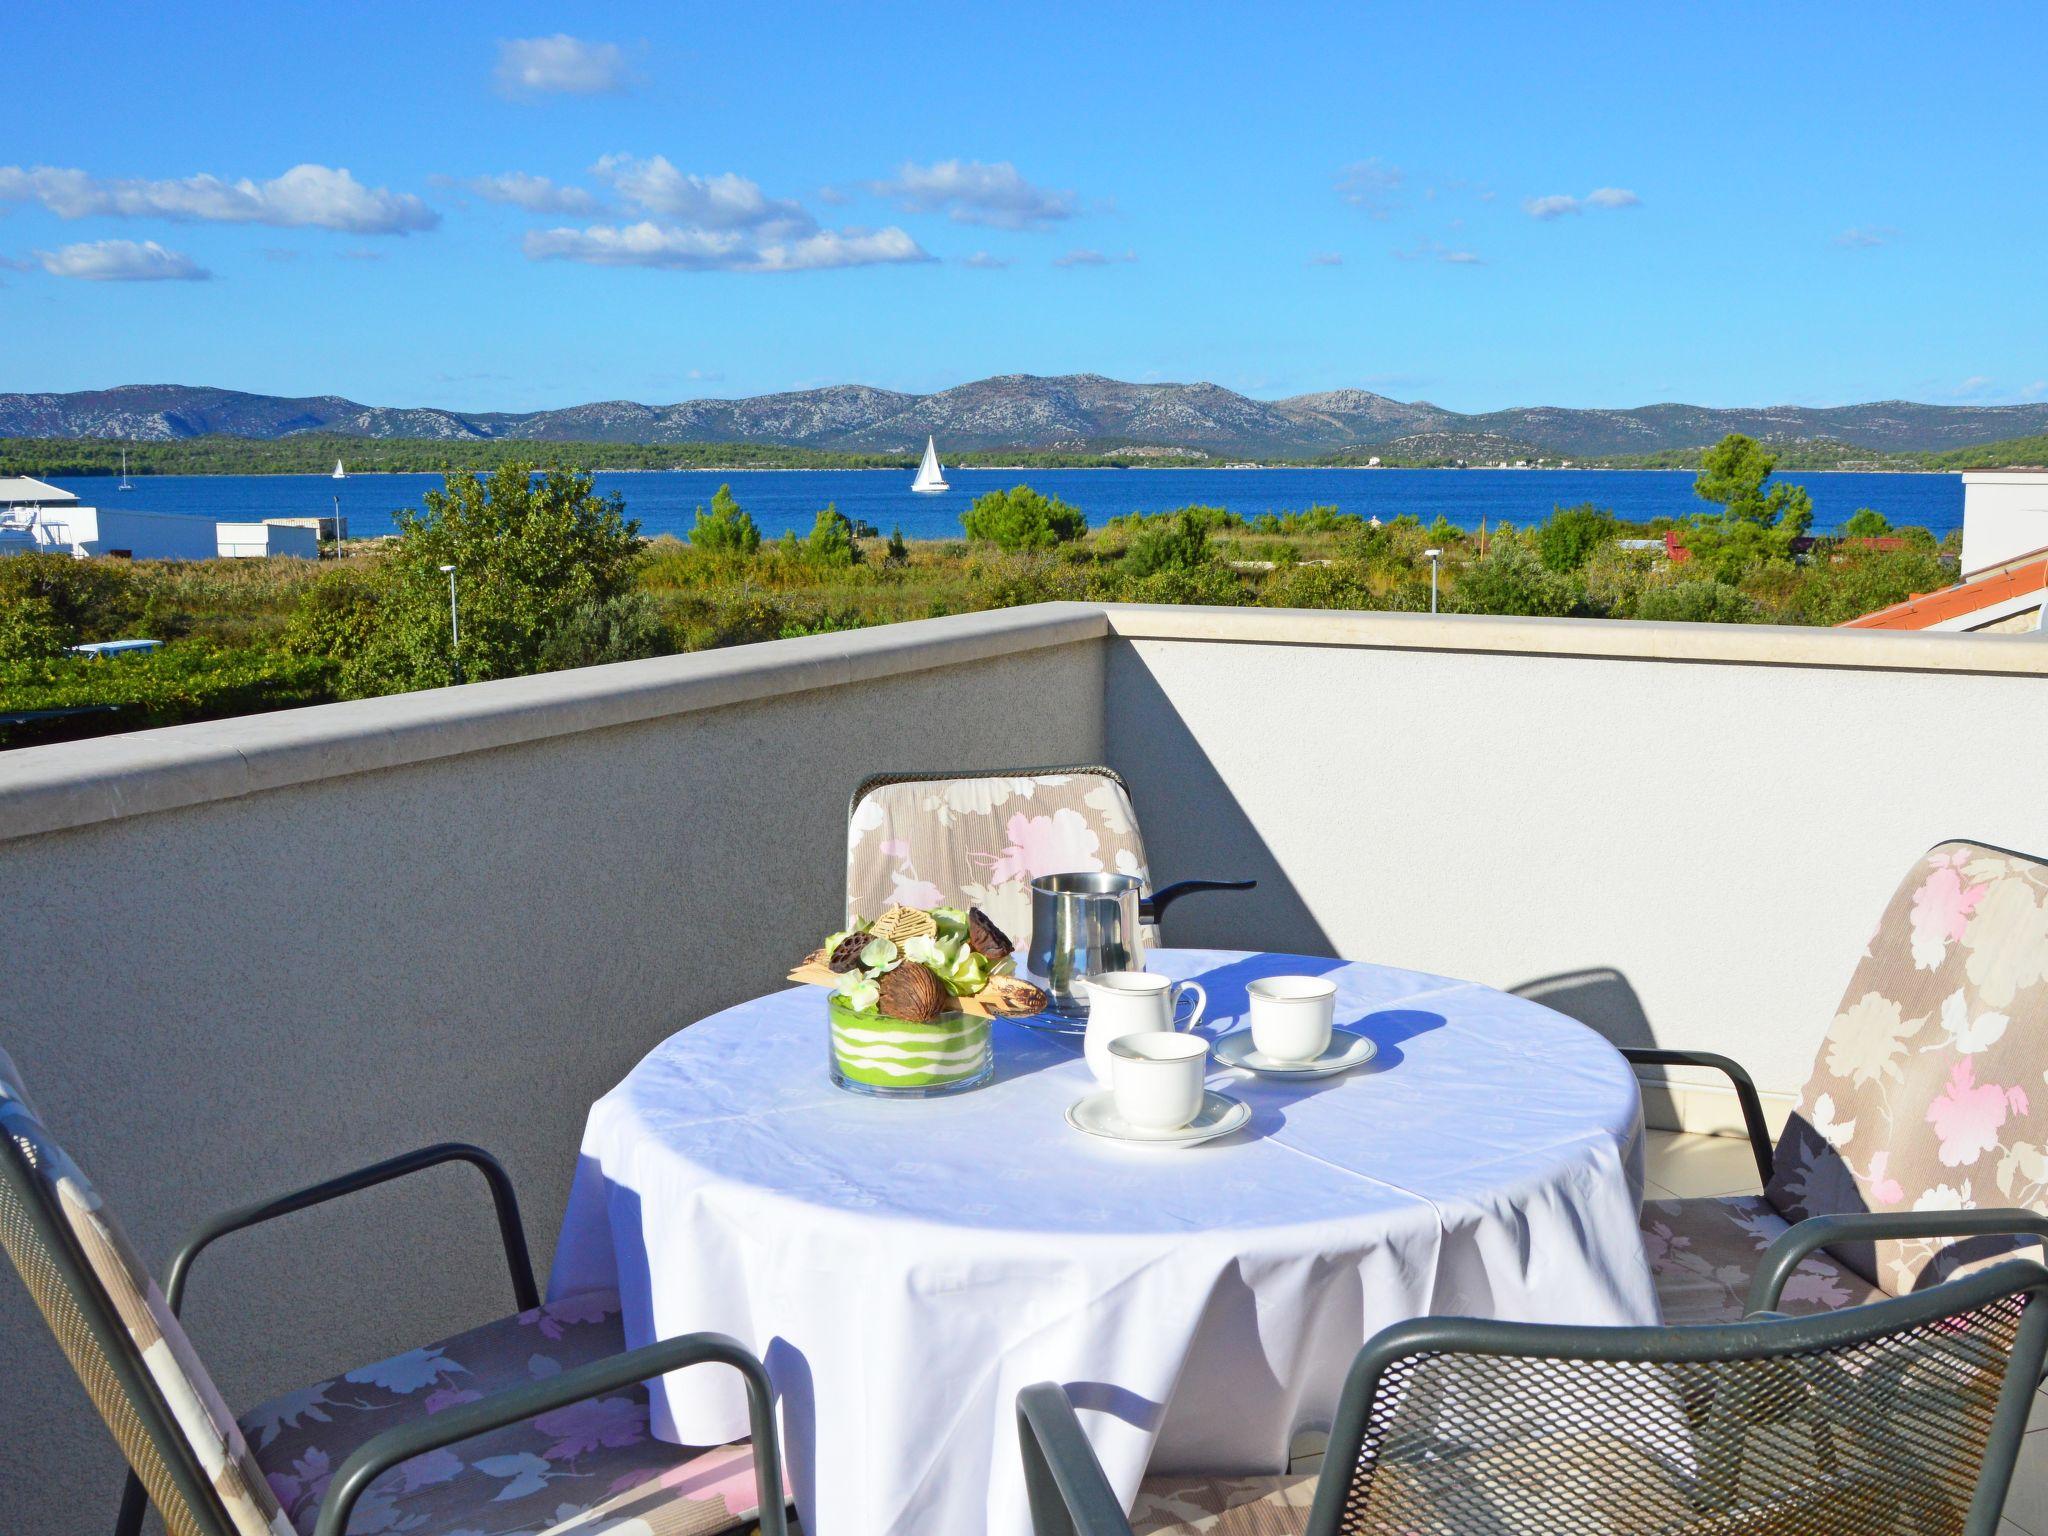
587	1469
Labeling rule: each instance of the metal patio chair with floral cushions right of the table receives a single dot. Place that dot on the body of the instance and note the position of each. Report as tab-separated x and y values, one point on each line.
1922	1138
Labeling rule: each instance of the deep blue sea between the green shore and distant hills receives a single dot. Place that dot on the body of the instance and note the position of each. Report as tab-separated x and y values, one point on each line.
790	499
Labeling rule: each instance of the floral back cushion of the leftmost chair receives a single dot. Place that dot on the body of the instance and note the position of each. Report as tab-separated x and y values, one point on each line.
132	1297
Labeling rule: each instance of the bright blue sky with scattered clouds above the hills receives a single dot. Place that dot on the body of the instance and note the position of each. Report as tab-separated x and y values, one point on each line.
1478	206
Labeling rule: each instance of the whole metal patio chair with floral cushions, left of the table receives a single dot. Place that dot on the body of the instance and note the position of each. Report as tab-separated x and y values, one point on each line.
501	1428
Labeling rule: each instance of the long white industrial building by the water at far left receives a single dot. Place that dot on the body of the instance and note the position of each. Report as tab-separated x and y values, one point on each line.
36	517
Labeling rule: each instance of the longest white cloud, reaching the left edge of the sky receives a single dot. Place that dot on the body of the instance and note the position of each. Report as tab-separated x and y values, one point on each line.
304	198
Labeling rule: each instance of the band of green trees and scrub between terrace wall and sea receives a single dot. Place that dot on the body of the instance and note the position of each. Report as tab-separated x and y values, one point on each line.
550	574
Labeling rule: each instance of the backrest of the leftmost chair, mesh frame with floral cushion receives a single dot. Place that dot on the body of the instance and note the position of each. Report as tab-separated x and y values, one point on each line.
124	1342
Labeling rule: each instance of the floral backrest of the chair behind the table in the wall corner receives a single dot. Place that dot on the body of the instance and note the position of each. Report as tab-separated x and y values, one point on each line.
978	839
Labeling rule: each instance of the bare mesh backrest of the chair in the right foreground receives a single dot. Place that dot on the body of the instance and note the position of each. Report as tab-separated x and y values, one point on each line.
1906	1414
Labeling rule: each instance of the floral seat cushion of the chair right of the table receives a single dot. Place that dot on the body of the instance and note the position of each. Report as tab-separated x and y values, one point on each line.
1705	1252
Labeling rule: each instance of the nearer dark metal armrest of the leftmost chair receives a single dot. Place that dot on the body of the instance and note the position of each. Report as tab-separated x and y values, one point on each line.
452	1426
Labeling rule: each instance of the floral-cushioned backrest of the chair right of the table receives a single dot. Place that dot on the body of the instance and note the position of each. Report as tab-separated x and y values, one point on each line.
1928	1093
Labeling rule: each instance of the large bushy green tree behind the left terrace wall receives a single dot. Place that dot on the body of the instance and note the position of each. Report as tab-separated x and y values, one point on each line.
527	552
